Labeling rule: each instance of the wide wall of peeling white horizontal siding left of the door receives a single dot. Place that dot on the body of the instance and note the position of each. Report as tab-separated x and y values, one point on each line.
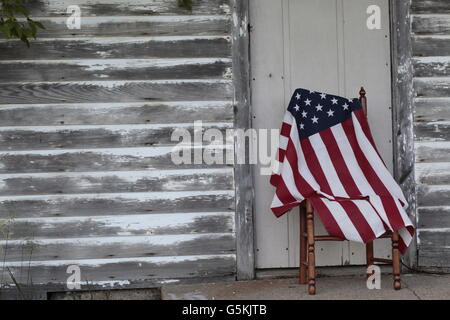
86	170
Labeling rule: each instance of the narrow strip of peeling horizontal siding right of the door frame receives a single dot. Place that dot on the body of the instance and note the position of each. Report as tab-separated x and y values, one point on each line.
431	51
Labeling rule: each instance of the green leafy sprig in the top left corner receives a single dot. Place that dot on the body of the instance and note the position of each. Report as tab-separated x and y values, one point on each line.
11	27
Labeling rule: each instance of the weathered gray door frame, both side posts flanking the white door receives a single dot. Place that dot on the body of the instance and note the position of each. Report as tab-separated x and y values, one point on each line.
402	125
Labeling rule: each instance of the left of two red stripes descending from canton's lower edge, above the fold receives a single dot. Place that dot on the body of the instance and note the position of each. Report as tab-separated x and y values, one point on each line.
339	163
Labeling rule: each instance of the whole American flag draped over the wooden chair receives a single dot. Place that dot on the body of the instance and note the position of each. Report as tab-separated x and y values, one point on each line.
327	155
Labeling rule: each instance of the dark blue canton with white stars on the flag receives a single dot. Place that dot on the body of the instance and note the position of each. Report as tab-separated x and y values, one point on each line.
315	111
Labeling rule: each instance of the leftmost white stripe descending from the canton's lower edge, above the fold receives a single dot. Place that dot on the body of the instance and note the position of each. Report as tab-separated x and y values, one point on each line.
327	166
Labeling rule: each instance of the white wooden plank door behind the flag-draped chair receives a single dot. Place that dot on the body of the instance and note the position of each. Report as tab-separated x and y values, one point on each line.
322	45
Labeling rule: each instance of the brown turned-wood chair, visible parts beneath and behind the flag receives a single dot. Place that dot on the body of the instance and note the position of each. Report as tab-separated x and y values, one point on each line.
308	238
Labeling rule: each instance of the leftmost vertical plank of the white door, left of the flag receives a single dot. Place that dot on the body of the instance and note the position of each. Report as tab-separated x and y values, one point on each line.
268	97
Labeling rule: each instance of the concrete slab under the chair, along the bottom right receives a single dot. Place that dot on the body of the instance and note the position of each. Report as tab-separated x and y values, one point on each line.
414	287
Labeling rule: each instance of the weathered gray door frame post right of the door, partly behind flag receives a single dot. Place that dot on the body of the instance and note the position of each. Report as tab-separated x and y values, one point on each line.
402	110
